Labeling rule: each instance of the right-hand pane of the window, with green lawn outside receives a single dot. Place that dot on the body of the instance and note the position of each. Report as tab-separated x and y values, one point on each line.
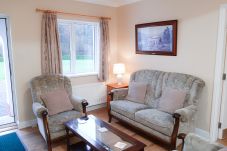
85	60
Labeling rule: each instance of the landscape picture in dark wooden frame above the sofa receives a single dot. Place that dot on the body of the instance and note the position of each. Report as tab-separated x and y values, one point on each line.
158	38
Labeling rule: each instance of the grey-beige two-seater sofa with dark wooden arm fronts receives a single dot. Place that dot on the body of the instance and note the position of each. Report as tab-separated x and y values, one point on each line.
146	117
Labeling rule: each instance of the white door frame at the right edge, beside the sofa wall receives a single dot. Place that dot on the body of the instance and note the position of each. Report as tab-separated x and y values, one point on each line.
219	70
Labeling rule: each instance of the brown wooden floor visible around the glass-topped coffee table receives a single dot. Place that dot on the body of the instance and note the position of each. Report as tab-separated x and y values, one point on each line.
34	142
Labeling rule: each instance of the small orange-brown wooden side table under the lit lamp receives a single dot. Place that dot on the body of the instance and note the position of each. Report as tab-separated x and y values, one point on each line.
110	87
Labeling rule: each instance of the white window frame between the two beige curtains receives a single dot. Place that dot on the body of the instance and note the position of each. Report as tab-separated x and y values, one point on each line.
73	47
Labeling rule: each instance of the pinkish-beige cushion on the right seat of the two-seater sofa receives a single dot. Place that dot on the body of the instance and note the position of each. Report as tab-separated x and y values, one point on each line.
171	100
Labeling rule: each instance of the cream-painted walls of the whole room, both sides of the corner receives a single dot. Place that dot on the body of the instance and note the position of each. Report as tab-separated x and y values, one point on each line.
197	33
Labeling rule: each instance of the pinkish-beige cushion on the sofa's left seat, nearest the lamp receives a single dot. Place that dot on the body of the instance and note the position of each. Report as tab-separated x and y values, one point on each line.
137	92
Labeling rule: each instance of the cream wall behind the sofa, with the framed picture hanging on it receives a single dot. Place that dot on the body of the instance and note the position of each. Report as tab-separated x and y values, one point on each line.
197	34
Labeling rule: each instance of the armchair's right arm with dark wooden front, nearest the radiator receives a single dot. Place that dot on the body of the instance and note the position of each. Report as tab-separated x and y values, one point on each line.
79	103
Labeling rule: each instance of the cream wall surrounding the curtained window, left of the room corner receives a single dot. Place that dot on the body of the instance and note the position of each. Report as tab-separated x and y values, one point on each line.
26	35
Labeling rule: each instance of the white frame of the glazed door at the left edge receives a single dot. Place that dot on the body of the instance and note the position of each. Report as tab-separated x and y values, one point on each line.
11	70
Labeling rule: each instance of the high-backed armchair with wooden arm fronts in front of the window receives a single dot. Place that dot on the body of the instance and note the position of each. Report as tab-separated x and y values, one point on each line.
51	127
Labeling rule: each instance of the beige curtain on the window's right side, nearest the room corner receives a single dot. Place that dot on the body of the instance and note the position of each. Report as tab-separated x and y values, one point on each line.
104	49
